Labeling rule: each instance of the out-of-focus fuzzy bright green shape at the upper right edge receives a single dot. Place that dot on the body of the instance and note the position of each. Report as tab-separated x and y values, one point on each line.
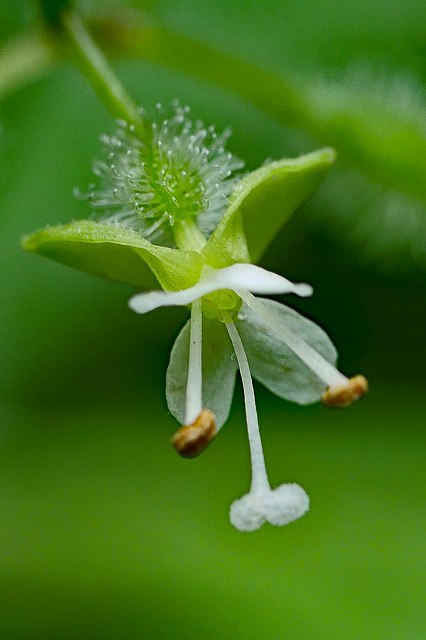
379	121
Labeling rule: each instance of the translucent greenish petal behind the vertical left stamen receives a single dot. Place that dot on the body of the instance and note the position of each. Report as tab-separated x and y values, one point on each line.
219	370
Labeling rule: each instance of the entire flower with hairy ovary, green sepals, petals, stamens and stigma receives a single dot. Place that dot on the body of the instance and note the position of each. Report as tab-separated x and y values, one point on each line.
176	187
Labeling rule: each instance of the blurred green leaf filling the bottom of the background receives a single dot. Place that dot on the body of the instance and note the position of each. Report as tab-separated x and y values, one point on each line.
105	531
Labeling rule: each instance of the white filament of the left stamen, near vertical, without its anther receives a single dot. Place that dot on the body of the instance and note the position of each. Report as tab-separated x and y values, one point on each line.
194	405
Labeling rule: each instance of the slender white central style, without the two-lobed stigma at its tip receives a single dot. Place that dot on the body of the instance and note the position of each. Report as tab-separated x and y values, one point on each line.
260	482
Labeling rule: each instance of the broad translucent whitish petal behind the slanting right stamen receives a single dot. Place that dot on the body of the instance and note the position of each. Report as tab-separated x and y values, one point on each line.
273	363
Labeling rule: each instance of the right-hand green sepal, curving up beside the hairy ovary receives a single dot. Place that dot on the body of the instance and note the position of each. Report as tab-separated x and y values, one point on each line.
262	203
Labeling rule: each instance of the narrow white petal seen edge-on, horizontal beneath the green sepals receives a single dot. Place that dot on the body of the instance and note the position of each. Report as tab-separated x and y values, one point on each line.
238	277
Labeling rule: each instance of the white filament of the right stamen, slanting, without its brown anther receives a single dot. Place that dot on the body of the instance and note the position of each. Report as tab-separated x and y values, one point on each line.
314	360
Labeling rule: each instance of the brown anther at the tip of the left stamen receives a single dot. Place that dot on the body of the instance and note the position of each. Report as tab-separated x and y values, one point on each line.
190	440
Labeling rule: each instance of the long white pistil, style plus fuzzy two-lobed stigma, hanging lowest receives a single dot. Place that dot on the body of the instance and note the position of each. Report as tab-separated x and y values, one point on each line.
279	506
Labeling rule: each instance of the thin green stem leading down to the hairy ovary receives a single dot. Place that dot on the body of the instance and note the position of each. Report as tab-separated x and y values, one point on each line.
95	67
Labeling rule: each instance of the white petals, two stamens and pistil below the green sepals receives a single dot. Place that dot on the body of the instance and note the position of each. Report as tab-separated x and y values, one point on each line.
289	354
